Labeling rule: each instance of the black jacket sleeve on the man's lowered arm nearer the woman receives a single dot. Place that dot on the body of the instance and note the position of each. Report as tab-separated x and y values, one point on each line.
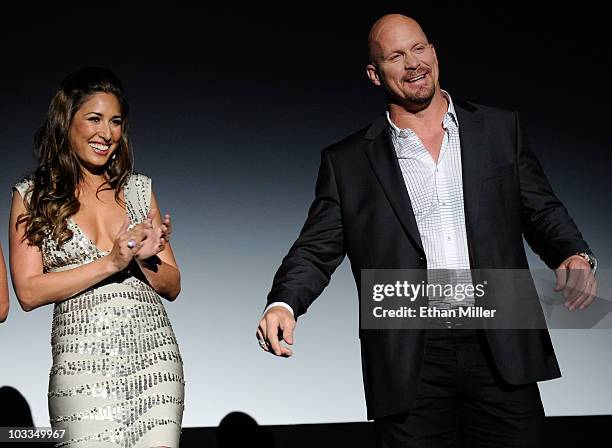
319	249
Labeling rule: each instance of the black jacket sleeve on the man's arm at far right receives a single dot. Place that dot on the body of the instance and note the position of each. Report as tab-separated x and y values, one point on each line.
546	224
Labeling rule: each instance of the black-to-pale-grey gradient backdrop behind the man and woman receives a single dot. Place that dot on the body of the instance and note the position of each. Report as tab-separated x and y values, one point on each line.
230	108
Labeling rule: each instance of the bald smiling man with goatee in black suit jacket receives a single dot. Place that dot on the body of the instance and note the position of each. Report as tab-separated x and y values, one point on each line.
429	185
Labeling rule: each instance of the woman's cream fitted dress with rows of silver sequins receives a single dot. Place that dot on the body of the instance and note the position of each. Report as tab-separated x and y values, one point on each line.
117	374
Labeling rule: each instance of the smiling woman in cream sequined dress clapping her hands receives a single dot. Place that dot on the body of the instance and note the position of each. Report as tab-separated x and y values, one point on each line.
86	235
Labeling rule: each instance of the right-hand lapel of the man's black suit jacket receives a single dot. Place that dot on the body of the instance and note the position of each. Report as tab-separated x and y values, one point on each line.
473	146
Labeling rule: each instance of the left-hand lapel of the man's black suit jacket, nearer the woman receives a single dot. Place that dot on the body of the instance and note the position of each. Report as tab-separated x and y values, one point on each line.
383	159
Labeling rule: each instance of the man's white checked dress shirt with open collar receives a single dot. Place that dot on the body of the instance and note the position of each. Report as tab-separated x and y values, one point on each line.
436	194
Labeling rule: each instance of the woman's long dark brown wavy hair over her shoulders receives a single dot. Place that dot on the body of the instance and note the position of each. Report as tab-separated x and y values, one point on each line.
59	172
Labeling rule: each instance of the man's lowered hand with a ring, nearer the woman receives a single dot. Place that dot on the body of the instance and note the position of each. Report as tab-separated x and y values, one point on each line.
275	326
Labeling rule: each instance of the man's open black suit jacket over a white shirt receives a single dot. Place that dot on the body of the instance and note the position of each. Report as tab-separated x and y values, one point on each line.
362	209
